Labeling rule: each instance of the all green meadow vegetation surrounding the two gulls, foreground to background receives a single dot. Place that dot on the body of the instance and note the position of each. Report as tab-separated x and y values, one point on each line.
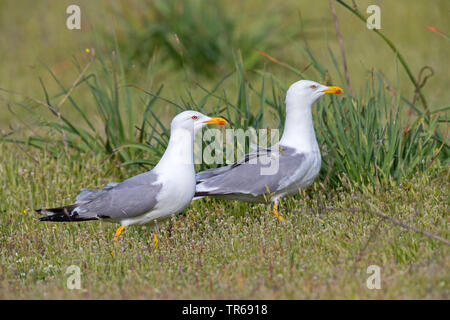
75	118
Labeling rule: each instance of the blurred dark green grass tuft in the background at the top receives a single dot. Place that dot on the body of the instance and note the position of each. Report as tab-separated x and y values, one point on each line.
198	35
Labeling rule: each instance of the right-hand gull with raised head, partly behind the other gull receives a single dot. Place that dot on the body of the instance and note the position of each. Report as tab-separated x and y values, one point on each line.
297	156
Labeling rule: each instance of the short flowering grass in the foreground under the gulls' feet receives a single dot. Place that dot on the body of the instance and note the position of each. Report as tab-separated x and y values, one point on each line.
219	249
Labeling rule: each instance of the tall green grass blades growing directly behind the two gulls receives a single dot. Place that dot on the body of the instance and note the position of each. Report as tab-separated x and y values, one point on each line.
365	137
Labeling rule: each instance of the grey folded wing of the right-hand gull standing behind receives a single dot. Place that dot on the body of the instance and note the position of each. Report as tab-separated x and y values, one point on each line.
245	178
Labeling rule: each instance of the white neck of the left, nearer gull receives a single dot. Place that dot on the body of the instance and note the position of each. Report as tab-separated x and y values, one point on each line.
179	154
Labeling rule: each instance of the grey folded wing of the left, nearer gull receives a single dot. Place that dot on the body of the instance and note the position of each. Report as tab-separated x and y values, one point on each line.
130	198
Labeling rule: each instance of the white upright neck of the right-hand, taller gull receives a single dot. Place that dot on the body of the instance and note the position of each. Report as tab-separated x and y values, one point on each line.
298	128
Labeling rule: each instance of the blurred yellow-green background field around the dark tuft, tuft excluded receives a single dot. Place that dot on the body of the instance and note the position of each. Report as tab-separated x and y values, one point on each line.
31	40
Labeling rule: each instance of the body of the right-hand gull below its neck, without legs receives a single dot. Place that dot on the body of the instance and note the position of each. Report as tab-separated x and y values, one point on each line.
244	180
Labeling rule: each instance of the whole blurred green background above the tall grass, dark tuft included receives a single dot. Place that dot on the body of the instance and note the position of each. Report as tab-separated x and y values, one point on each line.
34	34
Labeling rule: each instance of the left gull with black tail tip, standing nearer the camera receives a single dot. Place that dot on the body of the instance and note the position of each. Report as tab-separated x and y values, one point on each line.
166	190
